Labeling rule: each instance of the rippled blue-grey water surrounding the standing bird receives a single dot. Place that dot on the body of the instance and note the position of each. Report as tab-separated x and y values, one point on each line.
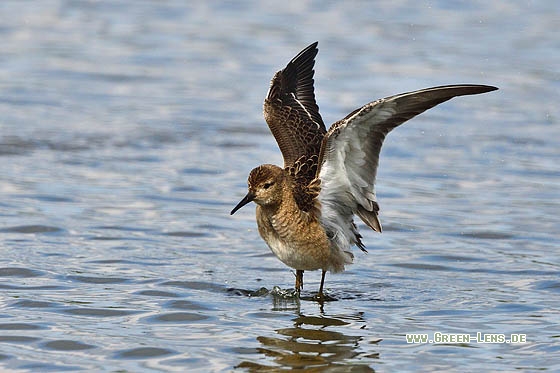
126	135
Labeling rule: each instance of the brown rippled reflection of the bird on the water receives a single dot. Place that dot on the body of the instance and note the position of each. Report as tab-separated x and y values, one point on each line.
314	343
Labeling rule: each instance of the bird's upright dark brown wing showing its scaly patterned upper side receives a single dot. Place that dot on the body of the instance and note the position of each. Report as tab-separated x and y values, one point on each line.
291	112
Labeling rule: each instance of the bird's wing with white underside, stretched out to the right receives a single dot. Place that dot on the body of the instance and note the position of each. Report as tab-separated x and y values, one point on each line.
350	156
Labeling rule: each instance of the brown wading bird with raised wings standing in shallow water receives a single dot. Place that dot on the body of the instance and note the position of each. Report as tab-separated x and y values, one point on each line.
305	210
